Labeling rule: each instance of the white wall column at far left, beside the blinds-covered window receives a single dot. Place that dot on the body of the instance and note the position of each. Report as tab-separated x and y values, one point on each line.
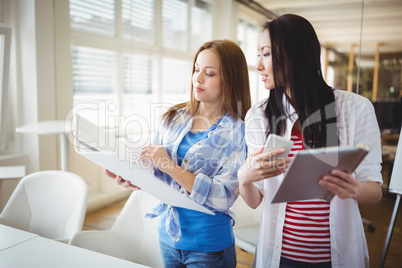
22	84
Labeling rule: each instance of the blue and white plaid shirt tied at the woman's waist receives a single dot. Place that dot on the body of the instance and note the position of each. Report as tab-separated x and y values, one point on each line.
214	160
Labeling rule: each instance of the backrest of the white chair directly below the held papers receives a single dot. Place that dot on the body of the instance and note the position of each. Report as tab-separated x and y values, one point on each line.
138	236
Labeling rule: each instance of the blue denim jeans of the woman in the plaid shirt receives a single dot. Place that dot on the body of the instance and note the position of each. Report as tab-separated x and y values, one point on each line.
198	259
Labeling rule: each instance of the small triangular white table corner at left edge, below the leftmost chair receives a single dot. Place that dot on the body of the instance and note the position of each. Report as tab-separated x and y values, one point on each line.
10	237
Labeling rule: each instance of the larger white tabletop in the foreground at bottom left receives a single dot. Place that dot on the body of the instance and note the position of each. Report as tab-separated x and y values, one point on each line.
40	252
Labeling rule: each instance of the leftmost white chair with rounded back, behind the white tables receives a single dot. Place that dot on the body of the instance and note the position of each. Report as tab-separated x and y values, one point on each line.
49	203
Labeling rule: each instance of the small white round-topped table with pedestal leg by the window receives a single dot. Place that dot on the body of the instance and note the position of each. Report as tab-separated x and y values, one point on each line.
48	128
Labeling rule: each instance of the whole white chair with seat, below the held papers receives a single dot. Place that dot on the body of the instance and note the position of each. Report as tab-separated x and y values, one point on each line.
132	237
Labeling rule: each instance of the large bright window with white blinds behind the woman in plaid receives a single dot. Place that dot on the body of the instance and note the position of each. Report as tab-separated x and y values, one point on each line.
136	52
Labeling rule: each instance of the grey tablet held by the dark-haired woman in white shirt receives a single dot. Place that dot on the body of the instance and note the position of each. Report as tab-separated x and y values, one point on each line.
309	166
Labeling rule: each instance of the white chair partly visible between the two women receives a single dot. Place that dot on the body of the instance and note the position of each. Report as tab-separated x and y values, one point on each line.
247	224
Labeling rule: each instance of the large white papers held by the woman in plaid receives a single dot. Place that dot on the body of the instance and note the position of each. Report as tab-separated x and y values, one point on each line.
125	161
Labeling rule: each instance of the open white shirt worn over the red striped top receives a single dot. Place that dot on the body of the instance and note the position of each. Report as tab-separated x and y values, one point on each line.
356	124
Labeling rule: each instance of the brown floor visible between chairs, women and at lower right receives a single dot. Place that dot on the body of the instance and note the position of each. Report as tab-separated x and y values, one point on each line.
380	216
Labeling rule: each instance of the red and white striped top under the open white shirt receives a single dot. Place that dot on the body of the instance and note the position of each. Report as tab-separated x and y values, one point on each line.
306	236
